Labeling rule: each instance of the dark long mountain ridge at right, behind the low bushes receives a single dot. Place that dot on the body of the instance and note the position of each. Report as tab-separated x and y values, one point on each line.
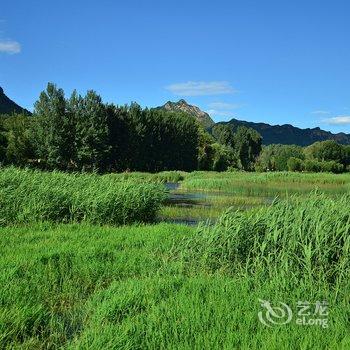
288	134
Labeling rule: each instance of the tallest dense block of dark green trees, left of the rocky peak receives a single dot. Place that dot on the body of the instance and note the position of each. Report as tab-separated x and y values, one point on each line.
83	133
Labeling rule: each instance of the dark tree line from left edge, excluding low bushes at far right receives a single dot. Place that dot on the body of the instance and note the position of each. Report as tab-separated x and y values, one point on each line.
81	133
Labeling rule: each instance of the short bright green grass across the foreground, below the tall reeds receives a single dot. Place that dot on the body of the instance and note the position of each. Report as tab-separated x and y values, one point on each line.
85	287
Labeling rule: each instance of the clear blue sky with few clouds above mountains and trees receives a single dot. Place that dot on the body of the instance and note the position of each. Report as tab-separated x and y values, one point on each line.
271	61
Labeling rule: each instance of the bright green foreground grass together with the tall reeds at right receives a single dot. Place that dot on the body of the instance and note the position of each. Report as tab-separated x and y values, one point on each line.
175	287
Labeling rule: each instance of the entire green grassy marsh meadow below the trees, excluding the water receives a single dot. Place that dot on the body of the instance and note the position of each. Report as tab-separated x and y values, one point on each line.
75	281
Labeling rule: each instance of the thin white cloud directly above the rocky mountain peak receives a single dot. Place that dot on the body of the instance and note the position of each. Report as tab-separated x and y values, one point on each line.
201	88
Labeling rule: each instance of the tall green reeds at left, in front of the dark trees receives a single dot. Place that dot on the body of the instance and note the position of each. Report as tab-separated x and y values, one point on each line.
30	196
